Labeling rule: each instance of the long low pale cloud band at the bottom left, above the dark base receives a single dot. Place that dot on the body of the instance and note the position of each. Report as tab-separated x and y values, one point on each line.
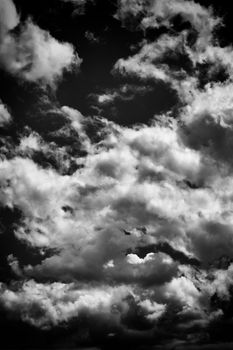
49	305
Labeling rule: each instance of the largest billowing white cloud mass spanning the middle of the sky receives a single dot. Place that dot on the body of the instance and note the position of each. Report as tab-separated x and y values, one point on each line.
139	176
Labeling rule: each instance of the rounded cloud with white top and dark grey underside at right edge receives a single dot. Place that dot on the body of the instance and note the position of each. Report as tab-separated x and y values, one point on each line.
208	120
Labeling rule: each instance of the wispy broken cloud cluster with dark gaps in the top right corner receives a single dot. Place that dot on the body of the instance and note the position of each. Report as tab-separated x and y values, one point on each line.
177	57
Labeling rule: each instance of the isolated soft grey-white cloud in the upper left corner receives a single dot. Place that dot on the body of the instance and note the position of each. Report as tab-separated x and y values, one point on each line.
33	54
